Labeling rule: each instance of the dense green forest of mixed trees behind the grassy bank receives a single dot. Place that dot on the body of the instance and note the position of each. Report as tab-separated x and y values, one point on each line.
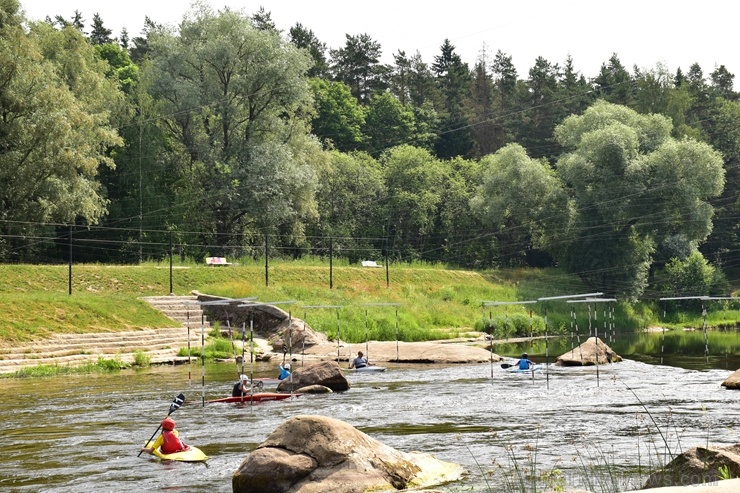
229	136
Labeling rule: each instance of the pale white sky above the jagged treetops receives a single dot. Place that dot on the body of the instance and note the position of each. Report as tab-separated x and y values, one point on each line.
643	33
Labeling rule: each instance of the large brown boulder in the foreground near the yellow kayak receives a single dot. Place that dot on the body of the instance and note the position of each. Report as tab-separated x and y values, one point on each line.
318	454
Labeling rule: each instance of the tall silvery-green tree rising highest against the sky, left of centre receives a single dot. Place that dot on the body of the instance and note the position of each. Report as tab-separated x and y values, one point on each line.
236	102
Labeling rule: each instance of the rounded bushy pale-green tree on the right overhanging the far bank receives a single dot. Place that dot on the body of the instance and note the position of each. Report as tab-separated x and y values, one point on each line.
633	187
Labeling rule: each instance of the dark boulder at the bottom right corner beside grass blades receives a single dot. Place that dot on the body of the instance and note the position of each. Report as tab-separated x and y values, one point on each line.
698	465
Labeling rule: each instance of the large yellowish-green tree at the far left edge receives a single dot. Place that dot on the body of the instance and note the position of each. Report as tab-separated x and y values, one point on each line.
55	131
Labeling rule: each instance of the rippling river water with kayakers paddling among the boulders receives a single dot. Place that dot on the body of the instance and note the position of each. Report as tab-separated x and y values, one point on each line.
601	427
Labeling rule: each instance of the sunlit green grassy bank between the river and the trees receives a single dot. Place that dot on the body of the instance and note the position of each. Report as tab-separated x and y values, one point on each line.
423	302
